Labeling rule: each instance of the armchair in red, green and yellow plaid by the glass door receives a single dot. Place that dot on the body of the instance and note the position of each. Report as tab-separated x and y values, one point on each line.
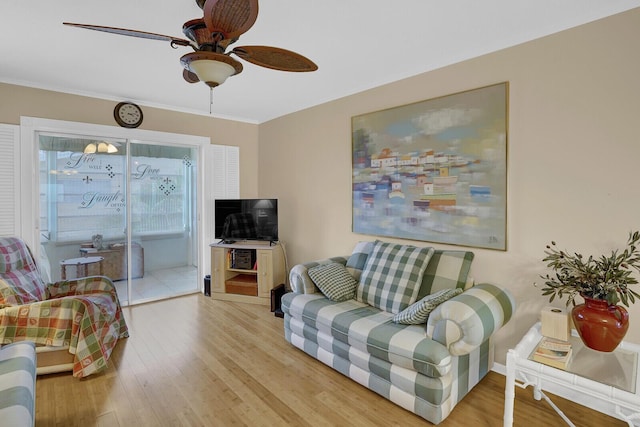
82	317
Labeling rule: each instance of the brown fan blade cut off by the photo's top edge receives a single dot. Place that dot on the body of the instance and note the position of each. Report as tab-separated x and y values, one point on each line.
230	17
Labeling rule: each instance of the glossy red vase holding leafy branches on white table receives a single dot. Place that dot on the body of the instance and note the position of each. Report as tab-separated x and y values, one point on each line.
600	325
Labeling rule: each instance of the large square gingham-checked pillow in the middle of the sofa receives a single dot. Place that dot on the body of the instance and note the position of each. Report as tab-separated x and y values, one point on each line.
392	276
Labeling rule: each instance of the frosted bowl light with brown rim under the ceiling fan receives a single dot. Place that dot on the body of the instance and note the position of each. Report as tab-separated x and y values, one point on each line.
211	68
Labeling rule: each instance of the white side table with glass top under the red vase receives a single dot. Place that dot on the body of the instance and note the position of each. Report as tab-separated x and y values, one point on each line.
606	382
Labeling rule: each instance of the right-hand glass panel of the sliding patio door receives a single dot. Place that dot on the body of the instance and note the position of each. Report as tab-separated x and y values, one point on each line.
163	216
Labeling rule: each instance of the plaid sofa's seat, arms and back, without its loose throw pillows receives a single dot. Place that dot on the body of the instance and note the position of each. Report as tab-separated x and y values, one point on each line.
425	368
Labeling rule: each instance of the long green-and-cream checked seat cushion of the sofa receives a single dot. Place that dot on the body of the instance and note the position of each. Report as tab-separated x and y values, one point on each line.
371	331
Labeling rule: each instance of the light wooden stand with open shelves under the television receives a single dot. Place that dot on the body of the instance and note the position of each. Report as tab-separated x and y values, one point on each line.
246	282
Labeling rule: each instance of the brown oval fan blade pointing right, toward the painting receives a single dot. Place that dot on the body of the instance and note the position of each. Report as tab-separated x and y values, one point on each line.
275	58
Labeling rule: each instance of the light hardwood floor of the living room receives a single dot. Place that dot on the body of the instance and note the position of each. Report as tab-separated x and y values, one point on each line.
194	361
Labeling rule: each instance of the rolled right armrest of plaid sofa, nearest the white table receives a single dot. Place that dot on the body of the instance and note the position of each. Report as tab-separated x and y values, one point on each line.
464	322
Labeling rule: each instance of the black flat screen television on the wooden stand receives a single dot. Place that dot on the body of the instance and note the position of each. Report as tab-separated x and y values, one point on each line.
246	219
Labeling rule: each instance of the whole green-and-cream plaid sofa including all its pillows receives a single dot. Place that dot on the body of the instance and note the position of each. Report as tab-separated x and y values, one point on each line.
414	329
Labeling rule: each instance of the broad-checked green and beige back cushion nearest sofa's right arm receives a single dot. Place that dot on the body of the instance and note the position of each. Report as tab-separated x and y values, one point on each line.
446	270
